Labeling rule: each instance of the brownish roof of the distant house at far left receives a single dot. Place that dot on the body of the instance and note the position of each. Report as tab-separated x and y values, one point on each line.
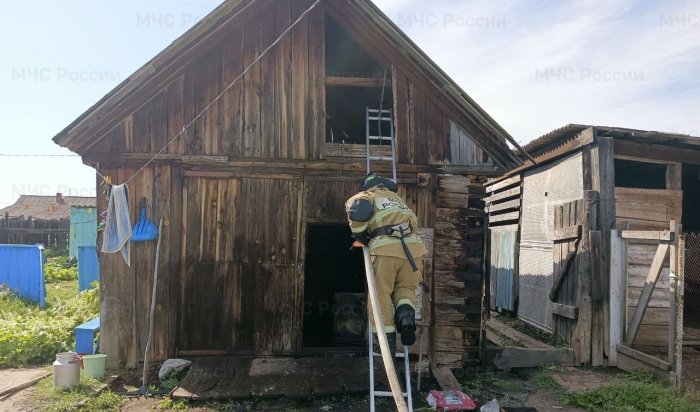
46	207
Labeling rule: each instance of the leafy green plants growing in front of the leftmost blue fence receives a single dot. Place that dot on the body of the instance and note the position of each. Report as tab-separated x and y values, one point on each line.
30	335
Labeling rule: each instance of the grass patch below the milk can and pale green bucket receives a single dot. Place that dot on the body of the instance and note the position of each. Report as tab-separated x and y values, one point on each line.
83	397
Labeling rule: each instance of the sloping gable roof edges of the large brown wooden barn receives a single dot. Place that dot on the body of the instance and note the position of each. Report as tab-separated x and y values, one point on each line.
492	139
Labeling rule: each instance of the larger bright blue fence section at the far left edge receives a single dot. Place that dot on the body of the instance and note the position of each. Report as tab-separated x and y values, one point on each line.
22	270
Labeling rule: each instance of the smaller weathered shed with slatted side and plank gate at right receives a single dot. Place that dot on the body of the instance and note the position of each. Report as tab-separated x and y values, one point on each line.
588	231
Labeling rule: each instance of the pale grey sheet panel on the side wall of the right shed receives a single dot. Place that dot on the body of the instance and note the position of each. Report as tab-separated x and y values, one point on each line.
543	189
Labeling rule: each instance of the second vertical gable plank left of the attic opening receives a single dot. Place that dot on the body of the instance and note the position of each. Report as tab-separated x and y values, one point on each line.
300	80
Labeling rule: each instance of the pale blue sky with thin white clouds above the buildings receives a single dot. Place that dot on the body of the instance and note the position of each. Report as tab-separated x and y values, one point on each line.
534	65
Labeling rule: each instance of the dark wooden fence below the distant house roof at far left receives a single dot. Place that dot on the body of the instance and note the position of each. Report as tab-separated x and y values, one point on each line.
20	231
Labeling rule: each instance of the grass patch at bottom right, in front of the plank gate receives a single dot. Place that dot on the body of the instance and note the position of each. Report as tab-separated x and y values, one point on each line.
636	392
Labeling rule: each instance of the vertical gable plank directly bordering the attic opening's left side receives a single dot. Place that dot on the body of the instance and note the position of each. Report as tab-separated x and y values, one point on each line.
317	80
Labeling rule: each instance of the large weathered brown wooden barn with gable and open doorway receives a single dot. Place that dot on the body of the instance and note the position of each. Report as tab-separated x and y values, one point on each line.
255	243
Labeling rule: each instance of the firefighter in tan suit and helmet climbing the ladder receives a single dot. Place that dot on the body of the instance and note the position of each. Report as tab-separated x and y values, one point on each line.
380	219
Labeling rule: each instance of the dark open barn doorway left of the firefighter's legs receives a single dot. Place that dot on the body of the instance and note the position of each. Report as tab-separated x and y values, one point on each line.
334	289
